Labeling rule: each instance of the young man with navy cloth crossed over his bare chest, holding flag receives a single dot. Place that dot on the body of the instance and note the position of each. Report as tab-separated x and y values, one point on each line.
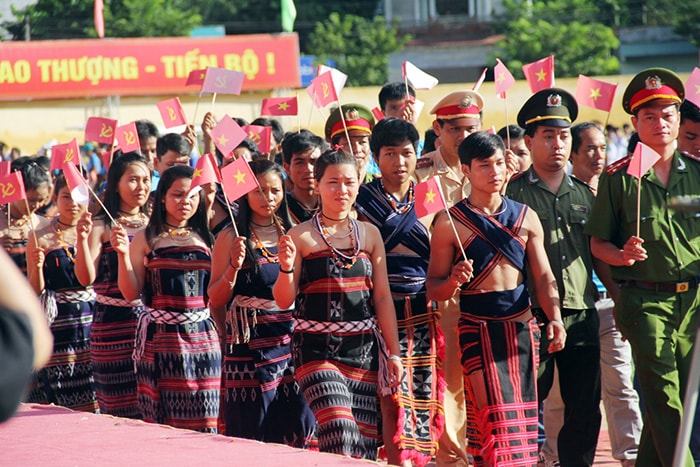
497	331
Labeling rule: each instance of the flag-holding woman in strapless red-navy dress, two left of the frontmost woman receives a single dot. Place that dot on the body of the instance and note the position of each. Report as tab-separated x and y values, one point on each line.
177	354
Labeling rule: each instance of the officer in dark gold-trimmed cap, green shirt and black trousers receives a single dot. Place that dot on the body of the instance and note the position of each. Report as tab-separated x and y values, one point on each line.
563	205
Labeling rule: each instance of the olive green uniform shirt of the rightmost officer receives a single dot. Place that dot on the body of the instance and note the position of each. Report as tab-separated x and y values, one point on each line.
671	238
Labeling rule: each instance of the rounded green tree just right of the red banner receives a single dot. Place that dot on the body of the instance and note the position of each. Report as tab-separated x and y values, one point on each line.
359	46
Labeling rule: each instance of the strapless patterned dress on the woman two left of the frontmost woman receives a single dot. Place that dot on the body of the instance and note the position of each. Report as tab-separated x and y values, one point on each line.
179	370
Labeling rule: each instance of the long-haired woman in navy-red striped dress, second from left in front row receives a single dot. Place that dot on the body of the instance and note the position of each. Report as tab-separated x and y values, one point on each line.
114	321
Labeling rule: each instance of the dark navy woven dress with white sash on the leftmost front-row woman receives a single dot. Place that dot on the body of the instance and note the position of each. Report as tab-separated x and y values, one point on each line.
67	379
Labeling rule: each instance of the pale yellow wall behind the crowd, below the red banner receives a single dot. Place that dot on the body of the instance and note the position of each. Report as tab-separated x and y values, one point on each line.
31	124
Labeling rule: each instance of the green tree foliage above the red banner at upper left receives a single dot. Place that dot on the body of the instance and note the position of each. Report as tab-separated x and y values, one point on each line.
73	19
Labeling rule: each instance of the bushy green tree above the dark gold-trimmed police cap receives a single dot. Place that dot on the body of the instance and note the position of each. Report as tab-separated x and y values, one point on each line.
566	29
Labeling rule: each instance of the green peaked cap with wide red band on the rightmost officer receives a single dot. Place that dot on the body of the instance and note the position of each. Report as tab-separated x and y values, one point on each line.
651	84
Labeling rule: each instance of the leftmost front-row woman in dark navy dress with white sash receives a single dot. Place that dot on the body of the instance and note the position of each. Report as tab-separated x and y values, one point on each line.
67	379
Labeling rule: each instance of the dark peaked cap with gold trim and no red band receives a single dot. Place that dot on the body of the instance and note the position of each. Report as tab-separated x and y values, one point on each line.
550	107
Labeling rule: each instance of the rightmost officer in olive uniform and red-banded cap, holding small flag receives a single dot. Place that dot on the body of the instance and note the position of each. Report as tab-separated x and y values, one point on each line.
658	268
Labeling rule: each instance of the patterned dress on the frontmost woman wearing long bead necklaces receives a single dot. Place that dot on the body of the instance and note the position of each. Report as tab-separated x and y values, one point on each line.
335	353
